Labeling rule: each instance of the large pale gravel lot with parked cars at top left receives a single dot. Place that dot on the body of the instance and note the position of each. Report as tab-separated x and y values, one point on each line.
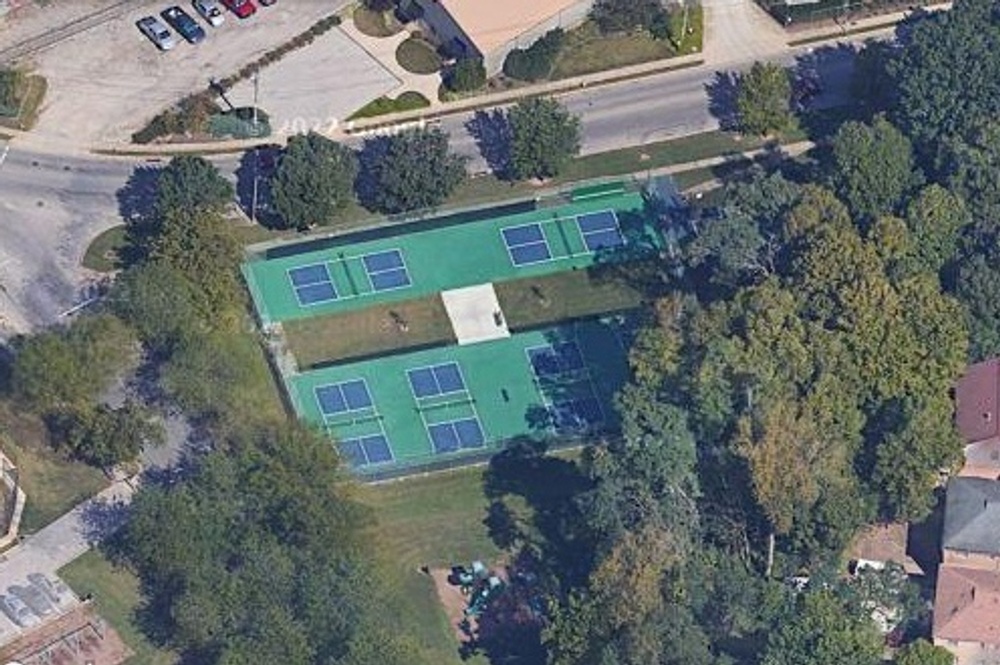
108	82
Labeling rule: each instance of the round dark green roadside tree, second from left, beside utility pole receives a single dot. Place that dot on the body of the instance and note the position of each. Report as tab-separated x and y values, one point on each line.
314	180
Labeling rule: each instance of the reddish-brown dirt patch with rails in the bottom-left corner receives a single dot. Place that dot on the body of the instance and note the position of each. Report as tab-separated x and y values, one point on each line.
77	637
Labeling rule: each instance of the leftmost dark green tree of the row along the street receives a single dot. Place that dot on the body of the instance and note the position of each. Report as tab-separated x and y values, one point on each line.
191	184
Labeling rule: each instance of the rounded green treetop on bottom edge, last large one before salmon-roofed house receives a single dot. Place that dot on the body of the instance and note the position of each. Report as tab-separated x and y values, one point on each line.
821	631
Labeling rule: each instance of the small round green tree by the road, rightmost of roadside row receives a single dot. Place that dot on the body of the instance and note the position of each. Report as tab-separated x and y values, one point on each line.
763	102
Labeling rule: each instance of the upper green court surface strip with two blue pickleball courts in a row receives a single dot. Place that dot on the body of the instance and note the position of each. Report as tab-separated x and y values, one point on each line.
417	259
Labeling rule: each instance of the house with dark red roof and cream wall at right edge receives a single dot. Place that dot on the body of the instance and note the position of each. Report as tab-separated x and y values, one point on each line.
977	398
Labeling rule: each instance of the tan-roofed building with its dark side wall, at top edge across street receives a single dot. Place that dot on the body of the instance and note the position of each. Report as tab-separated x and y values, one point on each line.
490	30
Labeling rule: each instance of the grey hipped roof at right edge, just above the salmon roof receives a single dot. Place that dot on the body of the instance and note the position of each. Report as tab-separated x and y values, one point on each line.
972	516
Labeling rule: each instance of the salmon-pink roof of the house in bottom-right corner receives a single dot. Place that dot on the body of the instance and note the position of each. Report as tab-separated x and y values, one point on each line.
967	605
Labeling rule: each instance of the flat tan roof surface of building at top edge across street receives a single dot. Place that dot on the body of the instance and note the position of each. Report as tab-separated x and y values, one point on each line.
491	24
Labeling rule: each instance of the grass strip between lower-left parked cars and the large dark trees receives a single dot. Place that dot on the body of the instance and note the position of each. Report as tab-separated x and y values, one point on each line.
116	596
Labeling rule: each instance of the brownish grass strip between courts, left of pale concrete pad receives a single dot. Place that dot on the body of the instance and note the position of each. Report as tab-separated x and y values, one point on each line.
368	331
